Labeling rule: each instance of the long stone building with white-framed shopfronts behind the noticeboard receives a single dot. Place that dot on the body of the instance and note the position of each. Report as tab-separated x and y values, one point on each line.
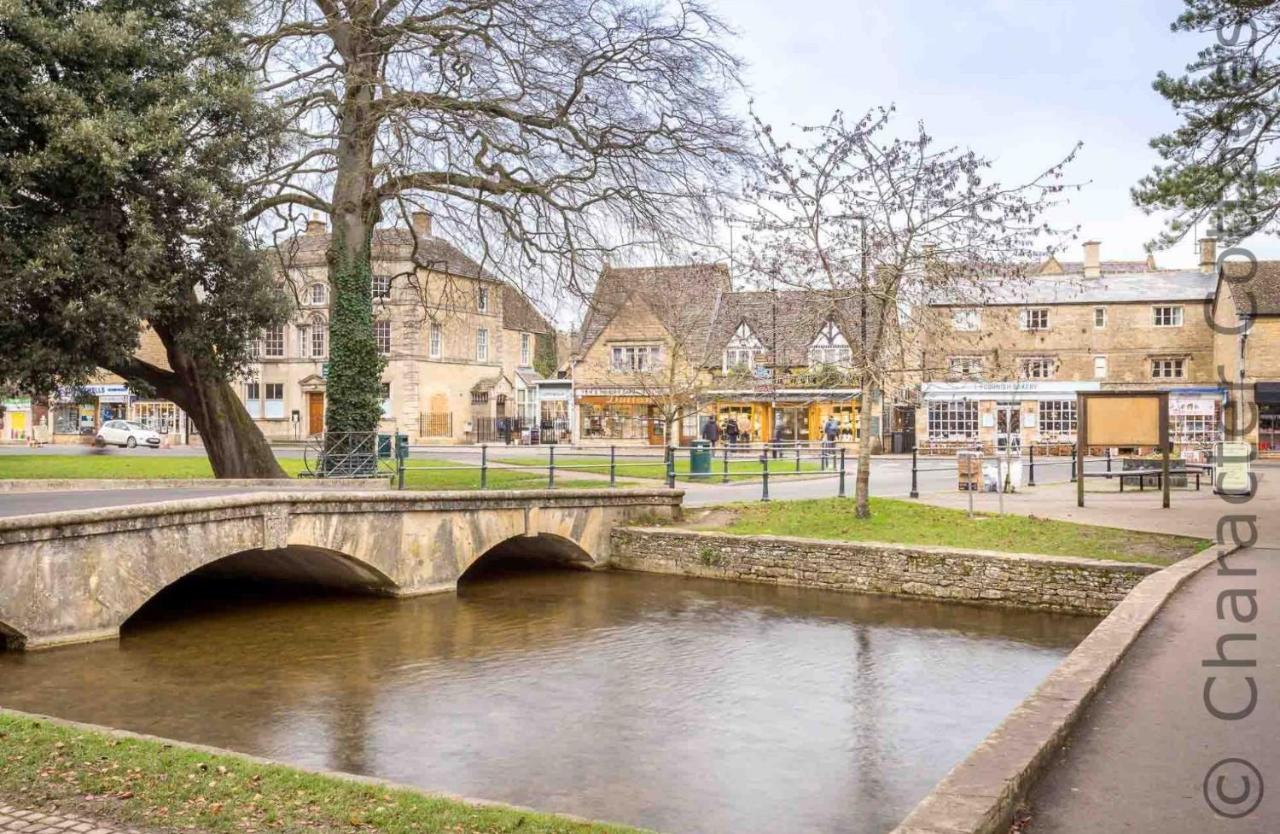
1003	364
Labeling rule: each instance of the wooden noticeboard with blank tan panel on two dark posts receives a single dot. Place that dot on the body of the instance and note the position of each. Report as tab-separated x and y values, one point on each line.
1122	419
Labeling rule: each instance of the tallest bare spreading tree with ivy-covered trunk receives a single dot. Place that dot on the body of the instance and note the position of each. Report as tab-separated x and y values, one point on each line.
542	132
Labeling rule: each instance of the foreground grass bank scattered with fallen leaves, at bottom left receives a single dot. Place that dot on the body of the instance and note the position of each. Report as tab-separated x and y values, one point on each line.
164	787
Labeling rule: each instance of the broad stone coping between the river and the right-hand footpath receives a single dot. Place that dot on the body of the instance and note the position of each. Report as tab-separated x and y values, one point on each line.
981	794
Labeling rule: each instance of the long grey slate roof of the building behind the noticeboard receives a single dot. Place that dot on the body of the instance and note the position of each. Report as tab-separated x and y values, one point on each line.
1078	290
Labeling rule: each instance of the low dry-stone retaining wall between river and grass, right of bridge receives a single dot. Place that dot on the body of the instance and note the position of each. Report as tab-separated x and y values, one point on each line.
1055	584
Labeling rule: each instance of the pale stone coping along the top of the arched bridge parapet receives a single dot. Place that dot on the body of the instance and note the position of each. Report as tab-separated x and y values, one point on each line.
328	501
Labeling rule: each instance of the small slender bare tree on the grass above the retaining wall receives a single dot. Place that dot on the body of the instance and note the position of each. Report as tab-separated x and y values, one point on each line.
880	224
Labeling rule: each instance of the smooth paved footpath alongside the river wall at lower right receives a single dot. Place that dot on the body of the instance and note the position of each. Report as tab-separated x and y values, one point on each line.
1145	750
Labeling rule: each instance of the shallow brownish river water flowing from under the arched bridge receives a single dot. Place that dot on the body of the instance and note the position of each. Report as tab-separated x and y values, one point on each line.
680	705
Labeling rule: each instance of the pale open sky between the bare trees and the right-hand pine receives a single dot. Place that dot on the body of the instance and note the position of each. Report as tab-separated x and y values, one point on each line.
1018	81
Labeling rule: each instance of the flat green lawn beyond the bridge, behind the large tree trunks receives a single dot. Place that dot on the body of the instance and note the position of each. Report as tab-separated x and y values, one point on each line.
140	466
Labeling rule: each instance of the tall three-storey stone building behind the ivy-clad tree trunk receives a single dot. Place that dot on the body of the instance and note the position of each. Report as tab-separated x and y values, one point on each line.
460	343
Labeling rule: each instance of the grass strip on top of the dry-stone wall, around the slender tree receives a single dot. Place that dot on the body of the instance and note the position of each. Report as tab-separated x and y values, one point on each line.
906	523
